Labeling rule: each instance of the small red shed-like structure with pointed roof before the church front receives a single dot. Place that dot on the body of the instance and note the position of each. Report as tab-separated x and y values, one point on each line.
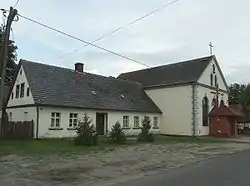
223	121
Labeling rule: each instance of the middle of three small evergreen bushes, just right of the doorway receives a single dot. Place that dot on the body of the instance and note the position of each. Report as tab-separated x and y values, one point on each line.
117	135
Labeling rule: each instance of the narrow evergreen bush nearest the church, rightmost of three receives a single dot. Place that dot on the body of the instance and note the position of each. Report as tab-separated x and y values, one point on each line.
145	135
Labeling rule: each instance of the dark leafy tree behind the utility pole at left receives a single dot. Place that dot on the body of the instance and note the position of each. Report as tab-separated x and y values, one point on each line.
12	57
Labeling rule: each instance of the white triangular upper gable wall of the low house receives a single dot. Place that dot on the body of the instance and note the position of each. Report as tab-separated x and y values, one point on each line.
21	78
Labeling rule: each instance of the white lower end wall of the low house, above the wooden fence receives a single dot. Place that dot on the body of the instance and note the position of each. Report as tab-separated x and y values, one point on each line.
18	114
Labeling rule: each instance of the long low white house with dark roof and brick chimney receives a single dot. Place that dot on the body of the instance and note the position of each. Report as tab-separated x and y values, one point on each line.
56	98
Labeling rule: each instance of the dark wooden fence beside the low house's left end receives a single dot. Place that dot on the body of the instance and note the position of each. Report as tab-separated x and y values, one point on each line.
18	130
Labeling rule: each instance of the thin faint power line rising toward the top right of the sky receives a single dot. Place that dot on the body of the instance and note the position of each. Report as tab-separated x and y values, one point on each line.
120	28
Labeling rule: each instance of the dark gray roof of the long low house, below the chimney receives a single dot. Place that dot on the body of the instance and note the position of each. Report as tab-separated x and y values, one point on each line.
51	85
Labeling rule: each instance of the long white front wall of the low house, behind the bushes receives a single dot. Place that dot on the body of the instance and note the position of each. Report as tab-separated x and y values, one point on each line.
113	117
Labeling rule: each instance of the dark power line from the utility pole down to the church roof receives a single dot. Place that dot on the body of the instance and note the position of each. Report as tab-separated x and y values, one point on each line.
81	40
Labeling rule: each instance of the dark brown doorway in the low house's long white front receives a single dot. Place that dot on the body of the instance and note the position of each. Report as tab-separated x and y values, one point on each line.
101	123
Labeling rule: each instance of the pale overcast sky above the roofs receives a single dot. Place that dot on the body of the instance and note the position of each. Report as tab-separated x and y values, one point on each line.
179	32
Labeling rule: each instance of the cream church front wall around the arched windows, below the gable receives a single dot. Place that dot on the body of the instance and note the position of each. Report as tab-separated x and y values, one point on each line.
202	92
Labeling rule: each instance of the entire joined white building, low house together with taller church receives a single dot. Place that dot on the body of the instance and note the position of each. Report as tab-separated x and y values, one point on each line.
177	98
